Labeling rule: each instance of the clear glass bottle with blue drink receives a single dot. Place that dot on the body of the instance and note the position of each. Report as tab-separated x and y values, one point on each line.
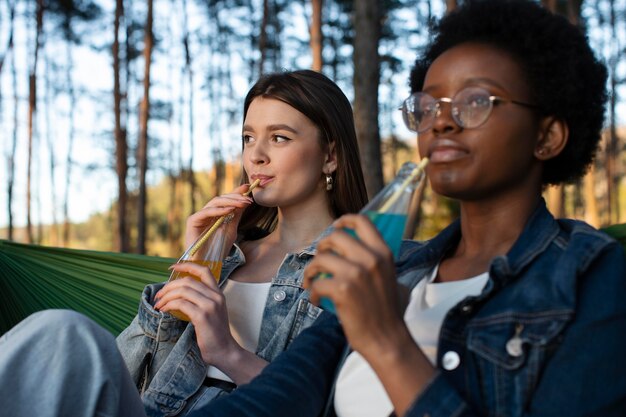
389	210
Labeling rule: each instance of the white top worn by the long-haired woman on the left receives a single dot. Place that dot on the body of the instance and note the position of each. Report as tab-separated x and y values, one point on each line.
245	303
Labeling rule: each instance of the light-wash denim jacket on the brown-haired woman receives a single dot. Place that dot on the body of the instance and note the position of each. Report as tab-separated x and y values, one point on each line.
163	357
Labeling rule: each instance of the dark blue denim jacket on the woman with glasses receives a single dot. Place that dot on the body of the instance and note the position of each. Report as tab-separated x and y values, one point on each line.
546	337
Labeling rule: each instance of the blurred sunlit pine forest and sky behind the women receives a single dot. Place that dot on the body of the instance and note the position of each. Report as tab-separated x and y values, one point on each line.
119	118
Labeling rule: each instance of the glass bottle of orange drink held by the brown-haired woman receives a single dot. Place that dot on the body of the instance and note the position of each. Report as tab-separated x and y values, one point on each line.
208	250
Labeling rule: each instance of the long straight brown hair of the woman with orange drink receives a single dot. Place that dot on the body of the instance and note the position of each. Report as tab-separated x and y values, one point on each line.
323	102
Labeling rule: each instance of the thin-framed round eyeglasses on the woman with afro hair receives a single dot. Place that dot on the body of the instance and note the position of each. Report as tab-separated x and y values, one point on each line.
470	108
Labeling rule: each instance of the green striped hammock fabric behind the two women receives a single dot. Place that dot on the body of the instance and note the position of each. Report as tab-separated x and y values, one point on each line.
103	285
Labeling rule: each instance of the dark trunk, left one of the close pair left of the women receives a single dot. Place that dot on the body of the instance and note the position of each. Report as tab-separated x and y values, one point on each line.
121	145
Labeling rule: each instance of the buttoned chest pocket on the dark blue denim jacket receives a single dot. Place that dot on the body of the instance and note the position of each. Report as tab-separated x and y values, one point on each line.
508	354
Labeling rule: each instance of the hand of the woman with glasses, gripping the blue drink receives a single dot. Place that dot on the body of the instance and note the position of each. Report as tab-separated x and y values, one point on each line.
363	288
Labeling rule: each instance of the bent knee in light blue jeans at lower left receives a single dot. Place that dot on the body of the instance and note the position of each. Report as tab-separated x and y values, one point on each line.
60	363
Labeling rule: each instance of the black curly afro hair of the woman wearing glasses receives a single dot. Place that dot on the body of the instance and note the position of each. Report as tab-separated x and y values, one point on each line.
565	78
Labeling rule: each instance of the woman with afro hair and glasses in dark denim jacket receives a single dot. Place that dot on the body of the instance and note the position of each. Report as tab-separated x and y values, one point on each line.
506	312
